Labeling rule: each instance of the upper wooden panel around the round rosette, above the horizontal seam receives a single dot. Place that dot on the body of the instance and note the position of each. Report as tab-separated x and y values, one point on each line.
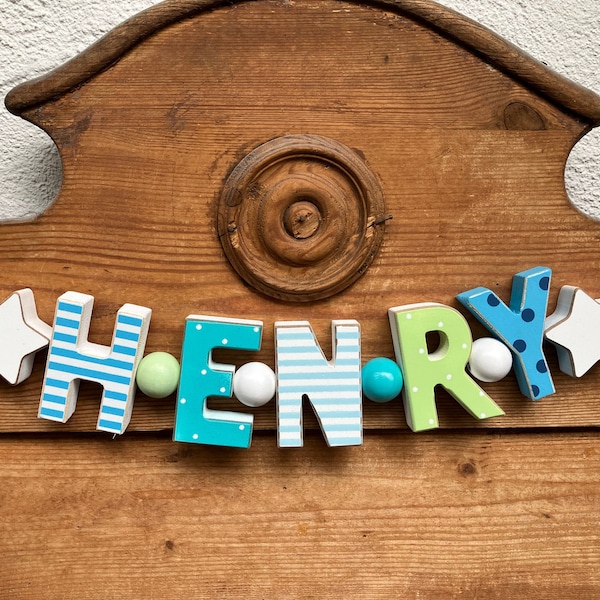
470	158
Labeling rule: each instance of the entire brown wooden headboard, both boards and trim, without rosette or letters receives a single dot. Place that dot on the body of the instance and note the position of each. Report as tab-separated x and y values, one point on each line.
468	139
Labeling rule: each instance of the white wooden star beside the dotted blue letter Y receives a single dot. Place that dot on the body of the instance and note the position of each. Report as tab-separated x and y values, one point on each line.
574	328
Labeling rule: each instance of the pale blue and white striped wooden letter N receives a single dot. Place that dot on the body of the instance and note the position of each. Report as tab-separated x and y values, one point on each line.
333	388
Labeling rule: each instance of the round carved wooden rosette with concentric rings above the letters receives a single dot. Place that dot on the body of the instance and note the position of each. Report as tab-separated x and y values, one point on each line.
300	218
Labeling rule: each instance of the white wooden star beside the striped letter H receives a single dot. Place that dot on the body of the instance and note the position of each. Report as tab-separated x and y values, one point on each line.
22	334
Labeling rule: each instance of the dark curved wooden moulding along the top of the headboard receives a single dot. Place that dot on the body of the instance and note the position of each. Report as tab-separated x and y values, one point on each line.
476	38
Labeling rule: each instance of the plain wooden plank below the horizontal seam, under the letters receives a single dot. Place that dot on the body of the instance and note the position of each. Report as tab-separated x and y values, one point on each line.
429	516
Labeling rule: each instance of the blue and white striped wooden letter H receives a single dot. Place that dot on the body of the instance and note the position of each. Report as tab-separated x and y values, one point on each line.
72	358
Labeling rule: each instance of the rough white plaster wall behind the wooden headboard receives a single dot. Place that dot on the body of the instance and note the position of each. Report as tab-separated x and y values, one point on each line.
38	35
